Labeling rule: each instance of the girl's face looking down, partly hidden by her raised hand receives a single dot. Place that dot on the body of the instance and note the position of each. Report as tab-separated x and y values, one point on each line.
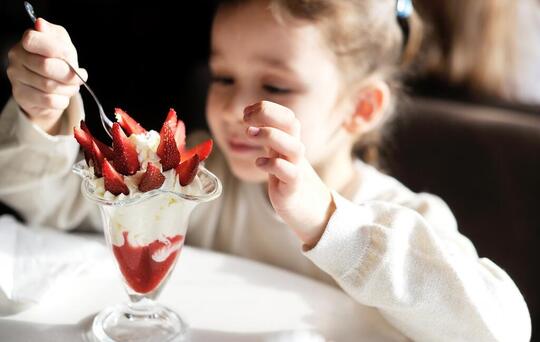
255	57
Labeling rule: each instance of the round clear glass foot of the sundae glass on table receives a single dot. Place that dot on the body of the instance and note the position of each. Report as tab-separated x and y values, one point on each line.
152	323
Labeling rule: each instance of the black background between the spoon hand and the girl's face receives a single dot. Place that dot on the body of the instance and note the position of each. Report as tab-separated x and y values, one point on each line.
141	58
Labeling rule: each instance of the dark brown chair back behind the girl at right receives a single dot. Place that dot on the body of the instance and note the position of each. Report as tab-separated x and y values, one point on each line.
484	162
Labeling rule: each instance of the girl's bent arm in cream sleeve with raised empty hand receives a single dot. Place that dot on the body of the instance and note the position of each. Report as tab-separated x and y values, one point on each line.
408	260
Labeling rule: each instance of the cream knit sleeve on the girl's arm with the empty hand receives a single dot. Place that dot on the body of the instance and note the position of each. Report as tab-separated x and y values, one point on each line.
423	276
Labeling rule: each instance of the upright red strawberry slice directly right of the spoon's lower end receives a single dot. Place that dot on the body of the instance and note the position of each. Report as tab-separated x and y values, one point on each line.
125	160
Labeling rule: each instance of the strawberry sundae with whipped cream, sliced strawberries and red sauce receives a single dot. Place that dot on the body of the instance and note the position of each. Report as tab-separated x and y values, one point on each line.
146	237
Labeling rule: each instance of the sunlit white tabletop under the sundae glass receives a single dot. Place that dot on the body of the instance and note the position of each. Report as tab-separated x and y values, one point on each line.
221	297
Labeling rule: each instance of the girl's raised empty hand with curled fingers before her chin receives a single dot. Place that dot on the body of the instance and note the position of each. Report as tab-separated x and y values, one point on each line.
296	192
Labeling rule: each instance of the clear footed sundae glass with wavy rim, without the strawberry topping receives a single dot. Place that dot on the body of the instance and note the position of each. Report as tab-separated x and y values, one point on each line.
145	233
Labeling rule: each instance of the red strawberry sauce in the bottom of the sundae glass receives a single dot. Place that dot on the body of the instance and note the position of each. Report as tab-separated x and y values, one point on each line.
144	267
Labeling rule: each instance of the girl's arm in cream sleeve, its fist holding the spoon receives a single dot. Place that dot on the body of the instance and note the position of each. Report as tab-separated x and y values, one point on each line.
36	146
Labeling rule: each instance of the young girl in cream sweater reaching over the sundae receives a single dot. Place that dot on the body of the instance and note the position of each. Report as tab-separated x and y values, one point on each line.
295	85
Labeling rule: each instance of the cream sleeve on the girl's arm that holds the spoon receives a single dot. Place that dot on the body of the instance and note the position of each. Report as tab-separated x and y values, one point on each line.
35	169
